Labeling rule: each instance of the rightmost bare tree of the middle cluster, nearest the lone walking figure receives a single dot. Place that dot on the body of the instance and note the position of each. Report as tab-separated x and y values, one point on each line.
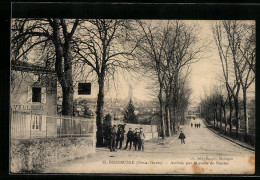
180	51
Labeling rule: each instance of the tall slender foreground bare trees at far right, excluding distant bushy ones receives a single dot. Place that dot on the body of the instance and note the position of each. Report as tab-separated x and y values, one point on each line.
236	45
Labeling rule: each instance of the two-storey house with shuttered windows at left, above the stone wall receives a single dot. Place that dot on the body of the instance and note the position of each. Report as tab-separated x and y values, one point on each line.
33	101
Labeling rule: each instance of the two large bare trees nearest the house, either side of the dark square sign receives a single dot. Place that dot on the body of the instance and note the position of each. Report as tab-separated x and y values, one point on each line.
96	44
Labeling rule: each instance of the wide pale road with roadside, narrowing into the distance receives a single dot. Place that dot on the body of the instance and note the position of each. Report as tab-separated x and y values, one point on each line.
204	153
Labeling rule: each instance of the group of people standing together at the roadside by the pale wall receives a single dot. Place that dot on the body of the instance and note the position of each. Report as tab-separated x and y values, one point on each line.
116	138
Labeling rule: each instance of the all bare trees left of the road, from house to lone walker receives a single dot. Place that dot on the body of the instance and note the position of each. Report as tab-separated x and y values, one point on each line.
163	50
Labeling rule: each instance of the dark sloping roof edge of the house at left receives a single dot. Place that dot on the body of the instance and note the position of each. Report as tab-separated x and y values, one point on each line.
30	67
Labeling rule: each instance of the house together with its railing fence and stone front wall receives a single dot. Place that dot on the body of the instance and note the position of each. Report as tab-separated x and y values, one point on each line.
39	137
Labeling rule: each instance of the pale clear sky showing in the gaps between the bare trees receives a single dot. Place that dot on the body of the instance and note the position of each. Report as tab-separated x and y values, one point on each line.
202	78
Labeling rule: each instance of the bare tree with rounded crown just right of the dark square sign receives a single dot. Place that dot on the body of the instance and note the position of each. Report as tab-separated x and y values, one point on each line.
100	47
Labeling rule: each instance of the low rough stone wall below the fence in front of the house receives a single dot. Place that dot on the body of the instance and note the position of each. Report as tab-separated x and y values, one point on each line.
32	155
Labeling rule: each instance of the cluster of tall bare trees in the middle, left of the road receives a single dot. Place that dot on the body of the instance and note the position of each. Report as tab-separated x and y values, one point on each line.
165	51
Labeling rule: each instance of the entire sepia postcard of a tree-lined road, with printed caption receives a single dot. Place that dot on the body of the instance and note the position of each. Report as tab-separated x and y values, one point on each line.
132	96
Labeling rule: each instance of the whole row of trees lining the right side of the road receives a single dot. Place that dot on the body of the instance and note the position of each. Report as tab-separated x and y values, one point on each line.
236	44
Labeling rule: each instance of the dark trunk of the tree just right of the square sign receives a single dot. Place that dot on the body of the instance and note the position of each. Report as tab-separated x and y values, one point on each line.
100	109
